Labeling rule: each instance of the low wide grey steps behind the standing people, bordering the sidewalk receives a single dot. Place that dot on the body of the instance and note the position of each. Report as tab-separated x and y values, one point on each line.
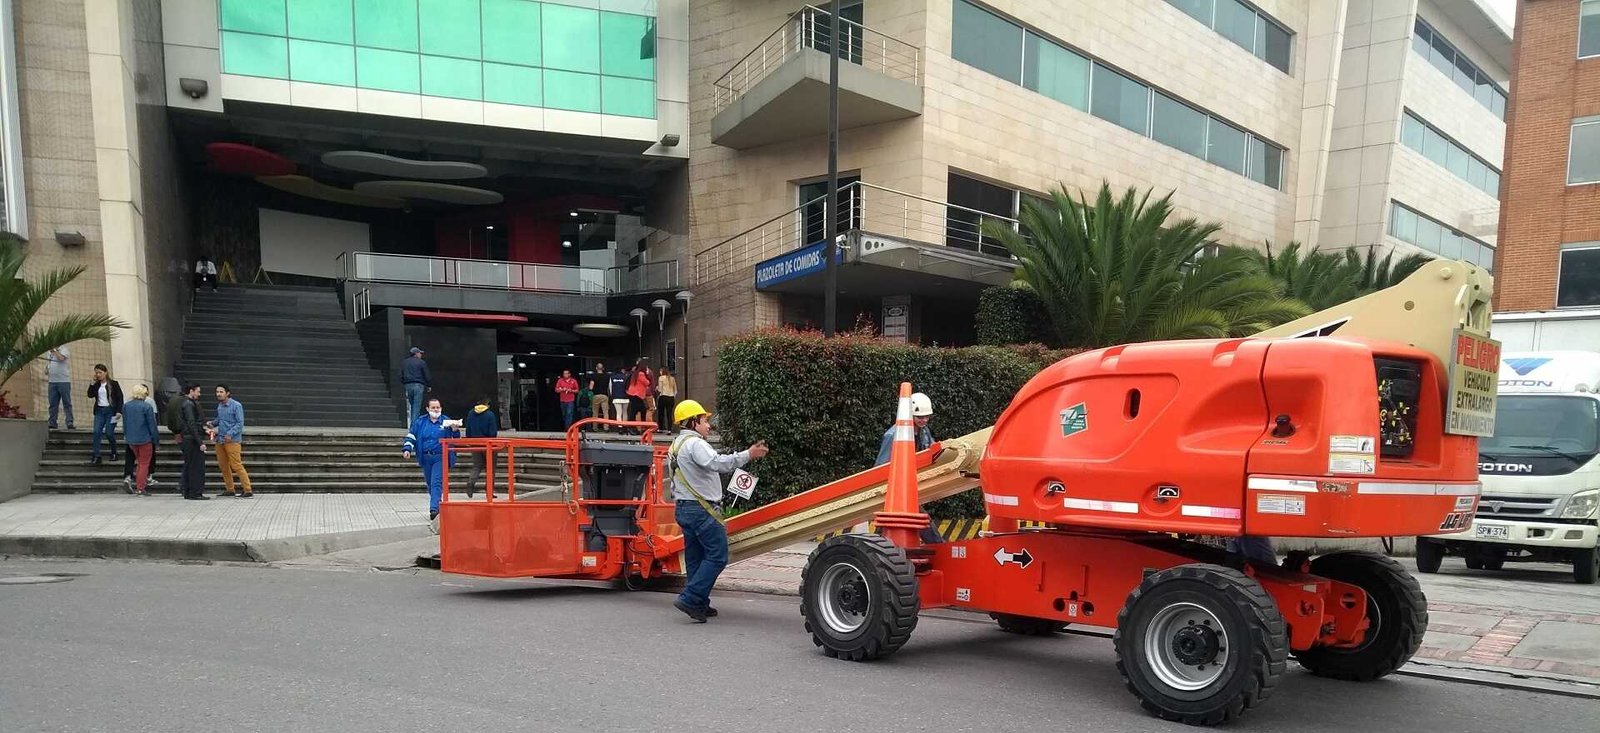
289	462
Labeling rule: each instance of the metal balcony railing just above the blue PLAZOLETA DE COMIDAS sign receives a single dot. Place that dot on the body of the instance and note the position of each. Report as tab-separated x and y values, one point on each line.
863	207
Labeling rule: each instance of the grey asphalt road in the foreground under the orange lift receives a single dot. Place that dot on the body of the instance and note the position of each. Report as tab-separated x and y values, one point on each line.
156	647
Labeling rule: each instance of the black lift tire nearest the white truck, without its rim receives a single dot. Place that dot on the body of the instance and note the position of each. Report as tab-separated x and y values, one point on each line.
1401	620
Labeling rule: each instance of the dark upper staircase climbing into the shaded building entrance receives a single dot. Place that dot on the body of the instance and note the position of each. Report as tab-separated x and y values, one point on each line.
290	358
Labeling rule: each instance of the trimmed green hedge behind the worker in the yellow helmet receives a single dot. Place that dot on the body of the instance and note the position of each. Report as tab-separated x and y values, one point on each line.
823	404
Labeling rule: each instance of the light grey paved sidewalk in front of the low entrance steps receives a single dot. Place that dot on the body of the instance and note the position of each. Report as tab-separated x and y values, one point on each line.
166	527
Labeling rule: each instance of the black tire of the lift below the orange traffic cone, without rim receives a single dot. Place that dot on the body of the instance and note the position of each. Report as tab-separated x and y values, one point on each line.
890	607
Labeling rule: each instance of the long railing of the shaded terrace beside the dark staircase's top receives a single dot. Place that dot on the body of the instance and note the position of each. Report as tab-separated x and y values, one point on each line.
490	274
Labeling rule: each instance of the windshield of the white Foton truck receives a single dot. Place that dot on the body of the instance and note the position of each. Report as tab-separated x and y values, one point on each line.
1545	427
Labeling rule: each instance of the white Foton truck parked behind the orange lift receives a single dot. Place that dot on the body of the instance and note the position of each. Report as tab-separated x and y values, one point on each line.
1540	471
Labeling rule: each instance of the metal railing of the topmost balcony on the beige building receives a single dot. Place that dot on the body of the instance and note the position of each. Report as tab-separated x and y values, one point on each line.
809	28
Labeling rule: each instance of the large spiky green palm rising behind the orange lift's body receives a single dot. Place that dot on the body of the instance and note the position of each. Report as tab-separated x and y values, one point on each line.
1119	271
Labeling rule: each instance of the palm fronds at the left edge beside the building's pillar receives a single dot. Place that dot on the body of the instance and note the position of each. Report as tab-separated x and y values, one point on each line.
20	305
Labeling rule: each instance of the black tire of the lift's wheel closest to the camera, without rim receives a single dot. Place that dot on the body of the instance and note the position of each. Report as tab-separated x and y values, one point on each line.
1254	660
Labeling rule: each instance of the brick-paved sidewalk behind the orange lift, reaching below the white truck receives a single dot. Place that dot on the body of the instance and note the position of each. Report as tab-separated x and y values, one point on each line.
1530	622
